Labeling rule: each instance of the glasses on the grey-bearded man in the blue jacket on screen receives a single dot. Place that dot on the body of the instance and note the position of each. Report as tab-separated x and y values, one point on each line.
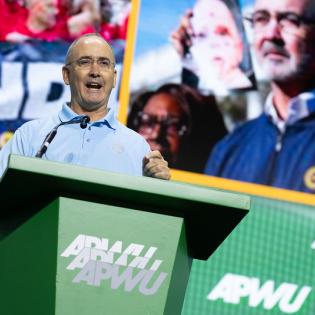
288	21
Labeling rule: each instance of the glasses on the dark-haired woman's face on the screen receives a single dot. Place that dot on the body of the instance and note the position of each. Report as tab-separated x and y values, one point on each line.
173	126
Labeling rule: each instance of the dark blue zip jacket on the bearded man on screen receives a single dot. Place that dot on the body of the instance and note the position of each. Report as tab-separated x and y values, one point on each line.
258	152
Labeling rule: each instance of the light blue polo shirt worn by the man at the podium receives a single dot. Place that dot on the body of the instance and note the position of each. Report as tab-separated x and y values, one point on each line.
105	144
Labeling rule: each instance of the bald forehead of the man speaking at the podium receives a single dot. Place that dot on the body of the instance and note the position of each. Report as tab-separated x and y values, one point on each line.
92	46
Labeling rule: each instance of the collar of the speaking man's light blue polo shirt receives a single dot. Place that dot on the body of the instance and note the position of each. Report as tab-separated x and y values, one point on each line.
109	120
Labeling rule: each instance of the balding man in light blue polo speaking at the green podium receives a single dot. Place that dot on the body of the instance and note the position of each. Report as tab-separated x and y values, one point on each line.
85	132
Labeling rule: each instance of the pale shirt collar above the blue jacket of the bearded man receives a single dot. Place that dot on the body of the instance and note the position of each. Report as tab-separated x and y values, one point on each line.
300	107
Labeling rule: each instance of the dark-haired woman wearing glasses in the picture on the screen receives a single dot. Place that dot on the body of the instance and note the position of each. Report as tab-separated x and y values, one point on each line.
179	122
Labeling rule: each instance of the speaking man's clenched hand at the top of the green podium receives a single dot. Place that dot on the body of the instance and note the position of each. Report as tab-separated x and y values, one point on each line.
155	166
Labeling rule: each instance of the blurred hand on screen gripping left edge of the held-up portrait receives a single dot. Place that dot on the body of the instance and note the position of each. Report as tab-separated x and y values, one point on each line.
181	37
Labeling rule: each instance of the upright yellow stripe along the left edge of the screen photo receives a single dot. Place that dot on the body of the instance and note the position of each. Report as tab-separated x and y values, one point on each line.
128	56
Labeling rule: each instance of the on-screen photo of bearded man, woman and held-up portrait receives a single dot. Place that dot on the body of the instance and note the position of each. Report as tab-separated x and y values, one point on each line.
223	88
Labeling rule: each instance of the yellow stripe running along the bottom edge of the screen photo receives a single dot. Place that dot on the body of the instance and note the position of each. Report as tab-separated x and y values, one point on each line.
242	187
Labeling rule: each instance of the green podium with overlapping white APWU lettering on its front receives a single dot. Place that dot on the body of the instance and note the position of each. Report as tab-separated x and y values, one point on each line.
82	241
